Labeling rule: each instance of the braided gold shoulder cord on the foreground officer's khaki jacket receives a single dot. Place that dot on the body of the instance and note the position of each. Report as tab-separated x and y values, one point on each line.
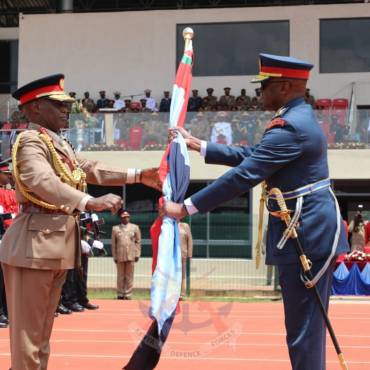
76	178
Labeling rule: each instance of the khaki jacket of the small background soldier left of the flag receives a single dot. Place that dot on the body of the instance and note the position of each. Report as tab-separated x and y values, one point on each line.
126	242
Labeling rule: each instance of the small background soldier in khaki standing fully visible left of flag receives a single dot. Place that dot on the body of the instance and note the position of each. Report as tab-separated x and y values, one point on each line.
126	250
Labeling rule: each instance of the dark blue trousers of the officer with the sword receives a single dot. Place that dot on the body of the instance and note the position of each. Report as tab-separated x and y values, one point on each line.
305	327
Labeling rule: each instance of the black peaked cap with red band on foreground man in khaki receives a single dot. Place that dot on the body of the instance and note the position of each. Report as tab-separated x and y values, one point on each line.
51	87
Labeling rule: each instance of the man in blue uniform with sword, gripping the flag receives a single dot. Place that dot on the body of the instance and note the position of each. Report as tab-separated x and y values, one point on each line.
291	156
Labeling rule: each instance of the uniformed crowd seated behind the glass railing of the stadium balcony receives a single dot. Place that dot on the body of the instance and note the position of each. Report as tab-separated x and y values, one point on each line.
226	119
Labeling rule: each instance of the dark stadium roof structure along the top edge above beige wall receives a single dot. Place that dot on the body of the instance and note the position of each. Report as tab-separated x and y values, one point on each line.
10	9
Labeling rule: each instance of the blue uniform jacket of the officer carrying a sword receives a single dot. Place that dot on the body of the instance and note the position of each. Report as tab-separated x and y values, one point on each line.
290	155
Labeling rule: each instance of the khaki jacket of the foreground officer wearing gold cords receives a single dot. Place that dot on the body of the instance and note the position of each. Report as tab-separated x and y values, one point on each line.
42	240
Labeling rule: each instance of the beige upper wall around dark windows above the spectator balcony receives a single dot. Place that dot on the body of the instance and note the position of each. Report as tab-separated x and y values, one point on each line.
131	51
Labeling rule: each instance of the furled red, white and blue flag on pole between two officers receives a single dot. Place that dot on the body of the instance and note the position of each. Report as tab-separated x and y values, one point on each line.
174	173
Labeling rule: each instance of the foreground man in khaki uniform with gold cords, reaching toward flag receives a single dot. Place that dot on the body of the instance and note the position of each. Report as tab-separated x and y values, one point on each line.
43	241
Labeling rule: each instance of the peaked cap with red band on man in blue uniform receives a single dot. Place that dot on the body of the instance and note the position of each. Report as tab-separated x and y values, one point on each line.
282	67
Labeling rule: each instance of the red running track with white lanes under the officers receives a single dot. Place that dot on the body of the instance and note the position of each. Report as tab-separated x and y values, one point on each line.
206	336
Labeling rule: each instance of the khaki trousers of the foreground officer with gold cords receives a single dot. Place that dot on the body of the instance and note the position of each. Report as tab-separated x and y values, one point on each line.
33	296
